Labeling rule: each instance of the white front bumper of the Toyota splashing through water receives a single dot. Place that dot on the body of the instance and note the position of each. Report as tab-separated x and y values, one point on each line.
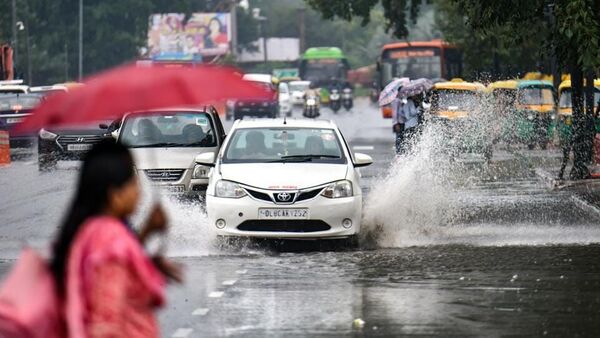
238	213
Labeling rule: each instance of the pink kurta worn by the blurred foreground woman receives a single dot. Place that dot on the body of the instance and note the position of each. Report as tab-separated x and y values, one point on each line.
113	288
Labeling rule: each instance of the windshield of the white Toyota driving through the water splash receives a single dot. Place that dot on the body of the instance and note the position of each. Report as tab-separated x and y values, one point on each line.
264	145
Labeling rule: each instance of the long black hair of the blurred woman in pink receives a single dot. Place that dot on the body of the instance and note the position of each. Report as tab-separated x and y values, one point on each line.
106	166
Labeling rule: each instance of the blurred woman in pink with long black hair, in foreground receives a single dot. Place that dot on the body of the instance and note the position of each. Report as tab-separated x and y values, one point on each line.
107	283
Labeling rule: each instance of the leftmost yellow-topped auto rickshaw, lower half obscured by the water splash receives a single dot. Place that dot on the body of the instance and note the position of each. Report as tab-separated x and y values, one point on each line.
457	107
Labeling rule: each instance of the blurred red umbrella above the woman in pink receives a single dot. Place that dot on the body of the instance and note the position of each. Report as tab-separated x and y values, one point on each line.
129	88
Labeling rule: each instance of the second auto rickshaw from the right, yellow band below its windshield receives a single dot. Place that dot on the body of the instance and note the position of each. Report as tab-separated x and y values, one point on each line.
535	112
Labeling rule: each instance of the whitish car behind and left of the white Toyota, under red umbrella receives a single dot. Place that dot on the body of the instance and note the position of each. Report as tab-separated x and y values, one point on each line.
165	143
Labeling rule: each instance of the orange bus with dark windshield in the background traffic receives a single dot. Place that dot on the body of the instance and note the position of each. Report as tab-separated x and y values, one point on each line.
435	60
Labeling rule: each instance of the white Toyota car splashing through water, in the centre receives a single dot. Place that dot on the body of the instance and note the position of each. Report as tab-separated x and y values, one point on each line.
294	179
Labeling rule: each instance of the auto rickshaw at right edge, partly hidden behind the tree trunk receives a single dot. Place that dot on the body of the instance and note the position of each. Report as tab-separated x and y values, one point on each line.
565	110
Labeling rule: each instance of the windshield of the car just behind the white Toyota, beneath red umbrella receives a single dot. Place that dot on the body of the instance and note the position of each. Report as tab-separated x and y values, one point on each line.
168	129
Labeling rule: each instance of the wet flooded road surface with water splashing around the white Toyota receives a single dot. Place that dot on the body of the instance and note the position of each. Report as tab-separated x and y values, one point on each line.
459	248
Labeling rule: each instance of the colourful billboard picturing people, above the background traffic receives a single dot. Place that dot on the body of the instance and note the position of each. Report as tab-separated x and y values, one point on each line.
178	37
